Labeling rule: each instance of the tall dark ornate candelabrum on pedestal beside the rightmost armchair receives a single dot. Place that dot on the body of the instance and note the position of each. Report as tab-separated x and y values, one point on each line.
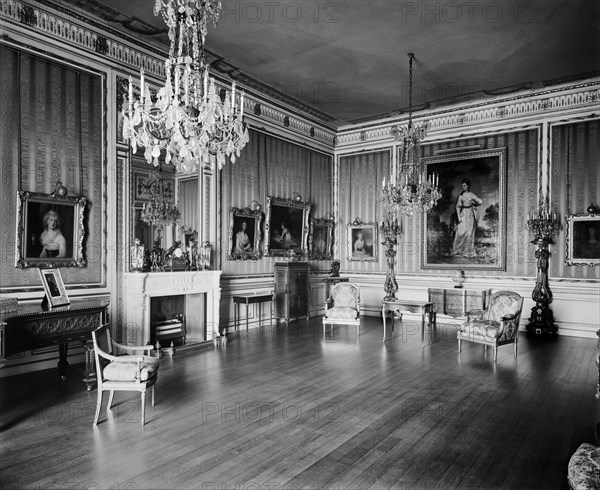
542	225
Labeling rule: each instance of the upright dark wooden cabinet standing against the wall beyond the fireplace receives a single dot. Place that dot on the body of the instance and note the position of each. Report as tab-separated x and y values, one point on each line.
291	290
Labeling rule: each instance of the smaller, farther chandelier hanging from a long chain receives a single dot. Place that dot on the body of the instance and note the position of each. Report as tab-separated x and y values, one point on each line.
409	189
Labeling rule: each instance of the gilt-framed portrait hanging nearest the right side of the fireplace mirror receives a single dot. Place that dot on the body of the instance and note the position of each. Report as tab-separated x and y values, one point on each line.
244	234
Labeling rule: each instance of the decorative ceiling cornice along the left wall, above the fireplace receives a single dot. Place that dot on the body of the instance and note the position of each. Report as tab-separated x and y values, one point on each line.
78	32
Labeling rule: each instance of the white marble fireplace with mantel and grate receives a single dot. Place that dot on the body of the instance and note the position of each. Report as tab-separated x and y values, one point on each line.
193	295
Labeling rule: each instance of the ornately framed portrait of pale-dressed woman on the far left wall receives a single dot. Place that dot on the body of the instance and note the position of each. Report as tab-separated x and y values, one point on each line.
50	230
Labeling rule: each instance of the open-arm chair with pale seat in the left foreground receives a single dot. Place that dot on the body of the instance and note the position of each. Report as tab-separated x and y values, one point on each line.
122	372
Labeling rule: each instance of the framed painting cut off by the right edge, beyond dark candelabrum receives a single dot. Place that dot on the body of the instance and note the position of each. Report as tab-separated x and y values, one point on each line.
582	239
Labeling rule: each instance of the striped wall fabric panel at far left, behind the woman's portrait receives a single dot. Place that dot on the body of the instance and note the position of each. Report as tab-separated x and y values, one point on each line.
51	130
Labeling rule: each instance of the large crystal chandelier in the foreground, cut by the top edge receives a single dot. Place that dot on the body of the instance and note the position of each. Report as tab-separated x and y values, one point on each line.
187	118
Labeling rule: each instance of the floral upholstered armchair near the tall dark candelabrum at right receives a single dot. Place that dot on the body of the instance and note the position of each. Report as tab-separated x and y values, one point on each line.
495	326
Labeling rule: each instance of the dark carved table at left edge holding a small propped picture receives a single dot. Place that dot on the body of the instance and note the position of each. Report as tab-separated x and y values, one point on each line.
30	327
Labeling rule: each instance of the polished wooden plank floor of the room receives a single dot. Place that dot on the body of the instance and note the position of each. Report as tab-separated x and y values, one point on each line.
283	409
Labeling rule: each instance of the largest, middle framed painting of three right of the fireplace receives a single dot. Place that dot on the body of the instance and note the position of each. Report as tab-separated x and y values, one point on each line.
286	228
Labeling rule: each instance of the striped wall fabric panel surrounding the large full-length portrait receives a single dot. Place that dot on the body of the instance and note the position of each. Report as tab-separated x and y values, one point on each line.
360	181
